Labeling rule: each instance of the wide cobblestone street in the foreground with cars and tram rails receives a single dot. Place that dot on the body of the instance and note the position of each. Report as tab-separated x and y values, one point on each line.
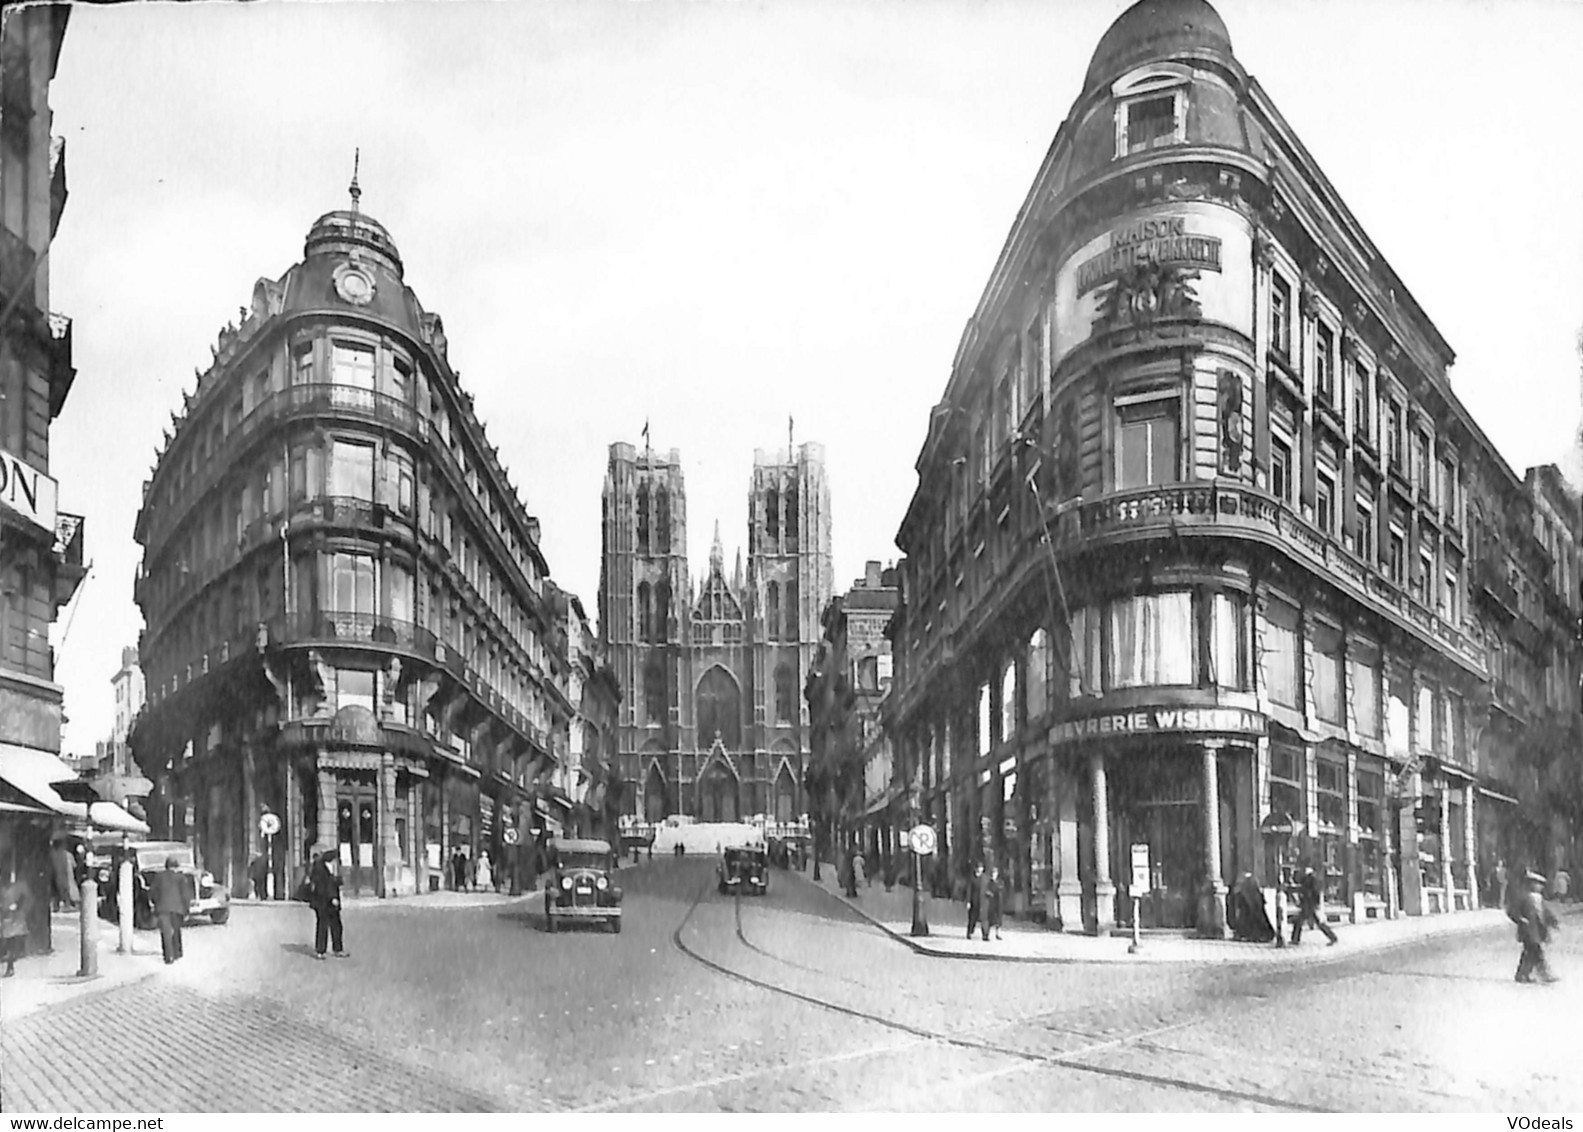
784	1003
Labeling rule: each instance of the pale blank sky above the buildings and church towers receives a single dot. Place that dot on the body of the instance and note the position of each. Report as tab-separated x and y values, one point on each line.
723	216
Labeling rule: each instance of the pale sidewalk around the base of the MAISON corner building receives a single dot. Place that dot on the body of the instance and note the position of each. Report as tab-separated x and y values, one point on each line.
1030	943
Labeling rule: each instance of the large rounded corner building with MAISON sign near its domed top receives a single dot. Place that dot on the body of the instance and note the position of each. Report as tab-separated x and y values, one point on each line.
1193	552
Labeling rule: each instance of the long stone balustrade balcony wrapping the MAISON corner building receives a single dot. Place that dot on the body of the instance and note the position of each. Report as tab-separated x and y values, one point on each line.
1248	512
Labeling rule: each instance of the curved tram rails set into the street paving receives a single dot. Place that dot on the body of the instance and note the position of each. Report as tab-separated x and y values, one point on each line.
1025	1060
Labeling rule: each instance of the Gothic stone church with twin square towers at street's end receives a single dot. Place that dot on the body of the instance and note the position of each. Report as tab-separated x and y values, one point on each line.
713	726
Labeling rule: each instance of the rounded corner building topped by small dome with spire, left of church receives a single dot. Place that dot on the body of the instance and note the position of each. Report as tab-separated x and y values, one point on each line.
344	596
